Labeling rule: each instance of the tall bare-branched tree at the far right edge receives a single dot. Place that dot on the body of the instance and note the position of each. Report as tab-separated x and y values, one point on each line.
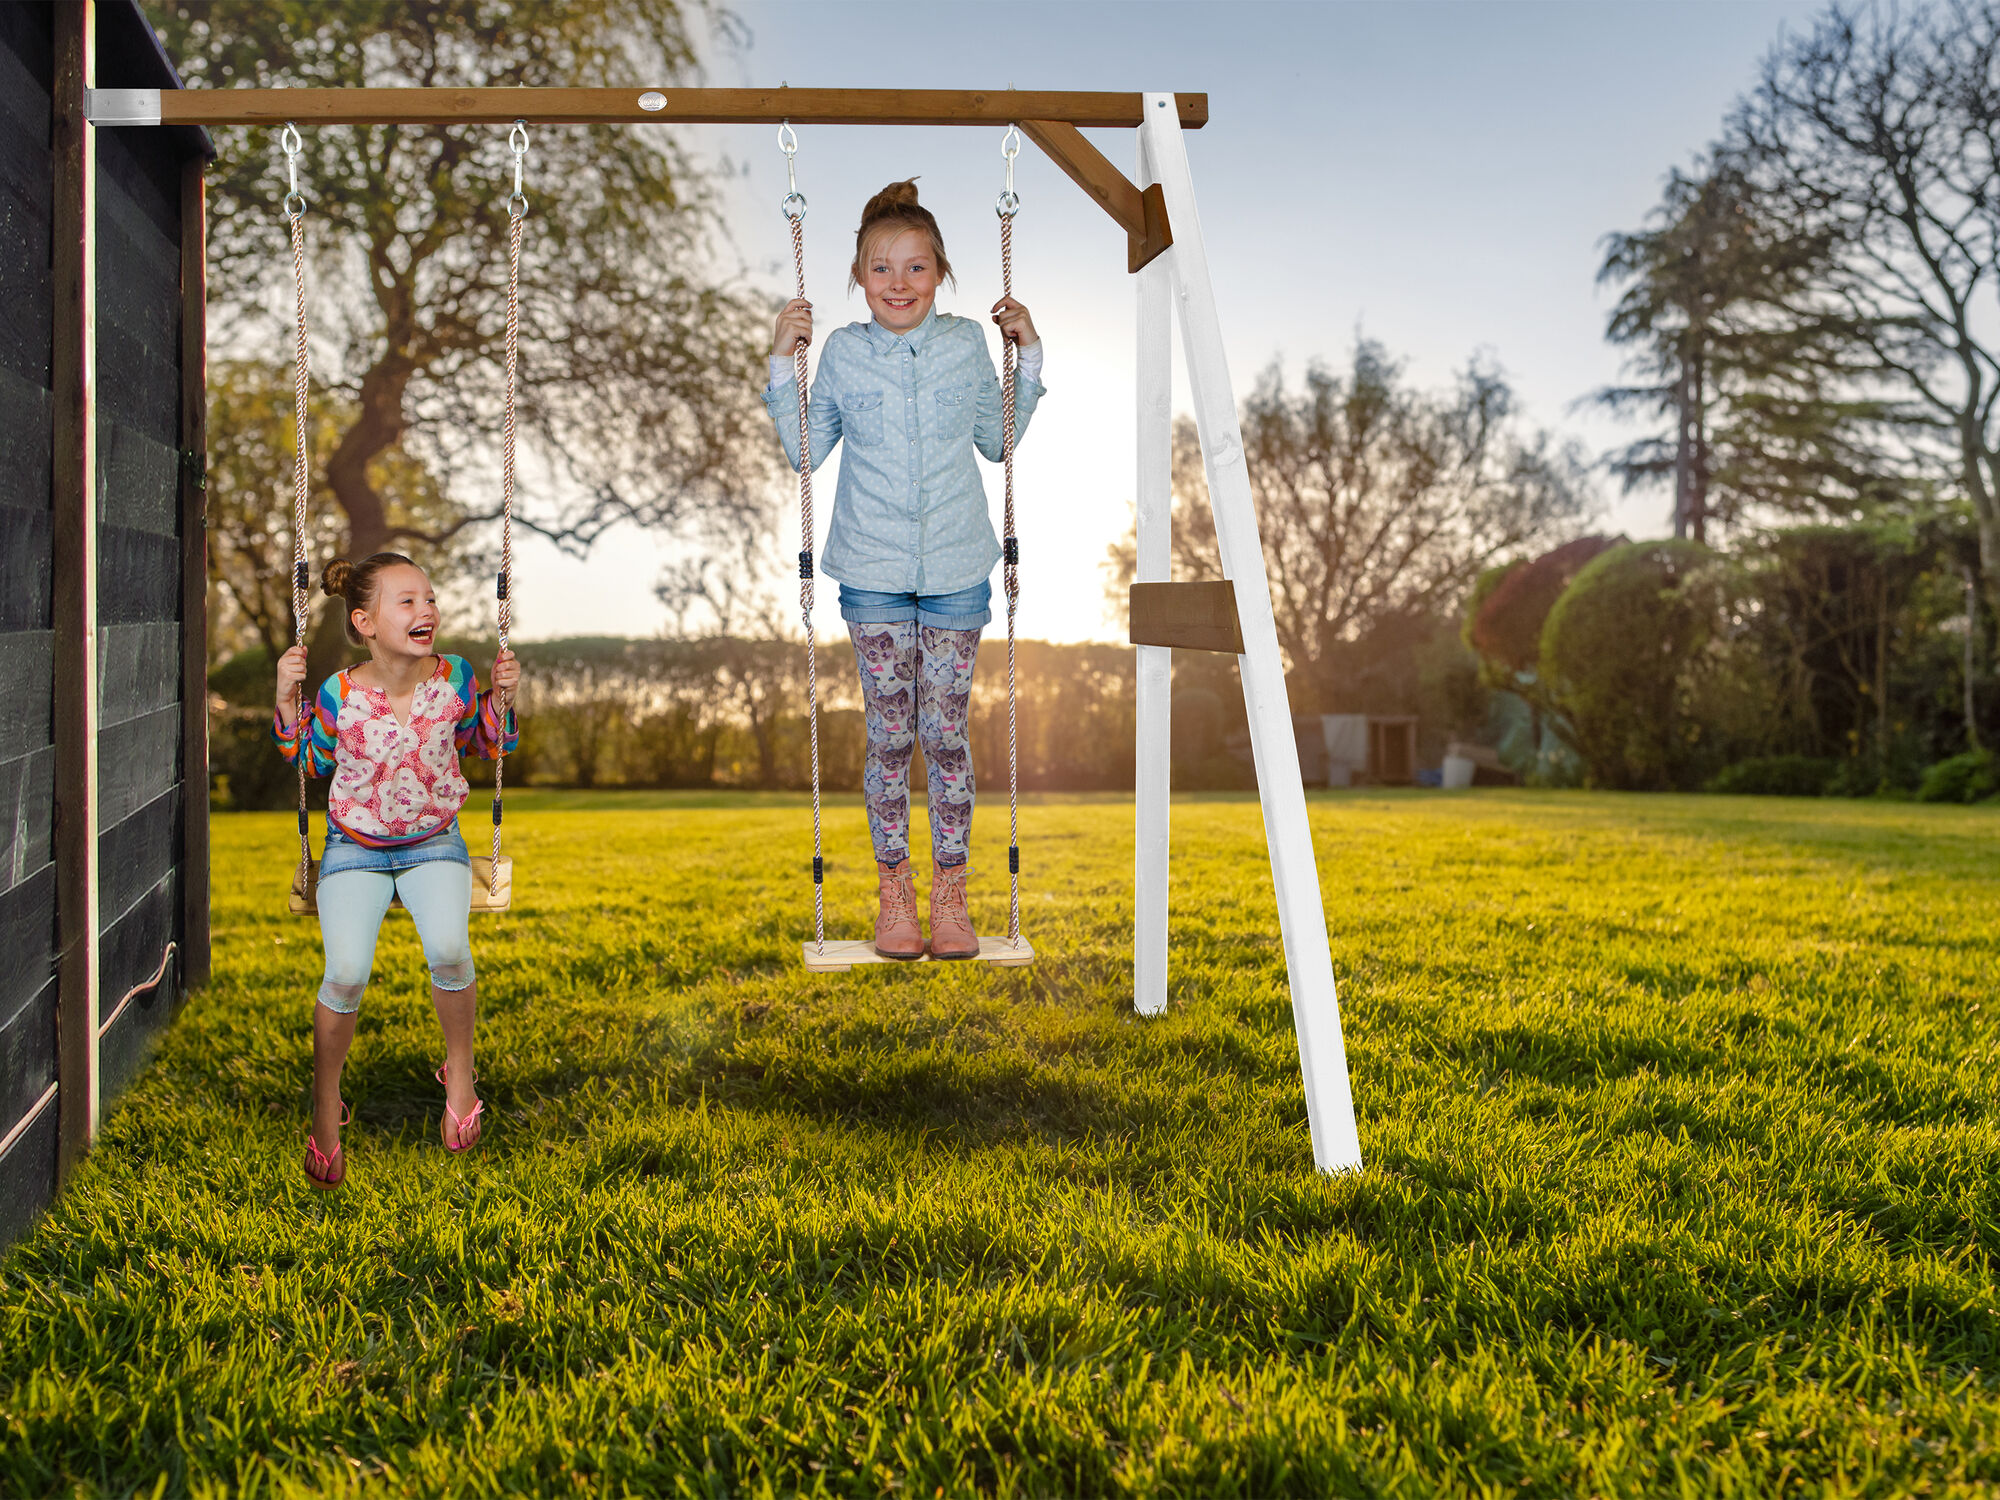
1881	133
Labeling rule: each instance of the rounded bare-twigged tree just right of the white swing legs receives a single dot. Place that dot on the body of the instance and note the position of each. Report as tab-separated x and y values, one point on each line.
1379	505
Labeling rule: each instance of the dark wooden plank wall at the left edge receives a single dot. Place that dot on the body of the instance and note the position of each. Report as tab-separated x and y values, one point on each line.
151	789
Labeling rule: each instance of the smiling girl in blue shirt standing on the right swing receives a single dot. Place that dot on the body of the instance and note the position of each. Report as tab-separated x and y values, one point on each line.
911	543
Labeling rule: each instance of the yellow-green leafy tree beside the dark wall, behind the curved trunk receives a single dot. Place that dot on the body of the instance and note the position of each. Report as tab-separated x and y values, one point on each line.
251	437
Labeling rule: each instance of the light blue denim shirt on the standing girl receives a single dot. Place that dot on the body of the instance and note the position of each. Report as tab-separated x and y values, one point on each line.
911	511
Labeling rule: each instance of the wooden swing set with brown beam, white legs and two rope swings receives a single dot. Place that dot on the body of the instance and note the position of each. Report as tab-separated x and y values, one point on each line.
1167	257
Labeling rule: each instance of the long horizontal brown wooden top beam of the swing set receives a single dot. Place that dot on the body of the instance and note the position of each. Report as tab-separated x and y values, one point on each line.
931	107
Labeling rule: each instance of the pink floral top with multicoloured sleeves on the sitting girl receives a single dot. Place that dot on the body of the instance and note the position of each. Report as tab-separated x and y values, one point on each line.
397	783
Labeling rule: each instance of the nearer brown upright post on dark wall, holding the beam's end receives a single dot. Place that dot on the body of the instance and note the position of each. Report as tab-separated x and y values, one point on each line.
73	365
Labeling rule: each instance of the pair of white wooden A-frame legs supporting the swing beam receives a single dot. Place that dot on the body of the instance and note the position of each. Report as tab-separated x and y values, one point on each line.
1181	279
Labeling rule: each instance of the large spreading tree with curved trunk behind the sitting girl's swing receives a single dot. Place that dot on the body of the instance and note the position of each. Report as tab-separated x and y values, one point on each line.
637	375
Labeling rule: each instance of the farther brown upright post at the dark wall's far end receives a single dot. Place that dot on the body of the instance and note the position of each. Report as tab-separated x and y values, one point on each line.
193	577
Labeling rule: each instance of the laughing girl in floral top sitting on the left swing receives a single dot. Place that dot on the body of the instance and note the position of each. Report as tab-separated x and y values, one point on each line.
391	733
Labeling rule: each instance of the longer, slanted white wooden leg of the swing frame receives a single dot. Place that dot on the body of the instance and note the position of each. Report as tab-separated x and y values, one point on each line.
1297	879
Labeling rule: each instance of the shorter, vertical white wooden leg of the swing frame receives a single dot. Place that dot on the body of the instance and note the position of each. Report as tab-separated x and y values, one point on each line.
1153	763
